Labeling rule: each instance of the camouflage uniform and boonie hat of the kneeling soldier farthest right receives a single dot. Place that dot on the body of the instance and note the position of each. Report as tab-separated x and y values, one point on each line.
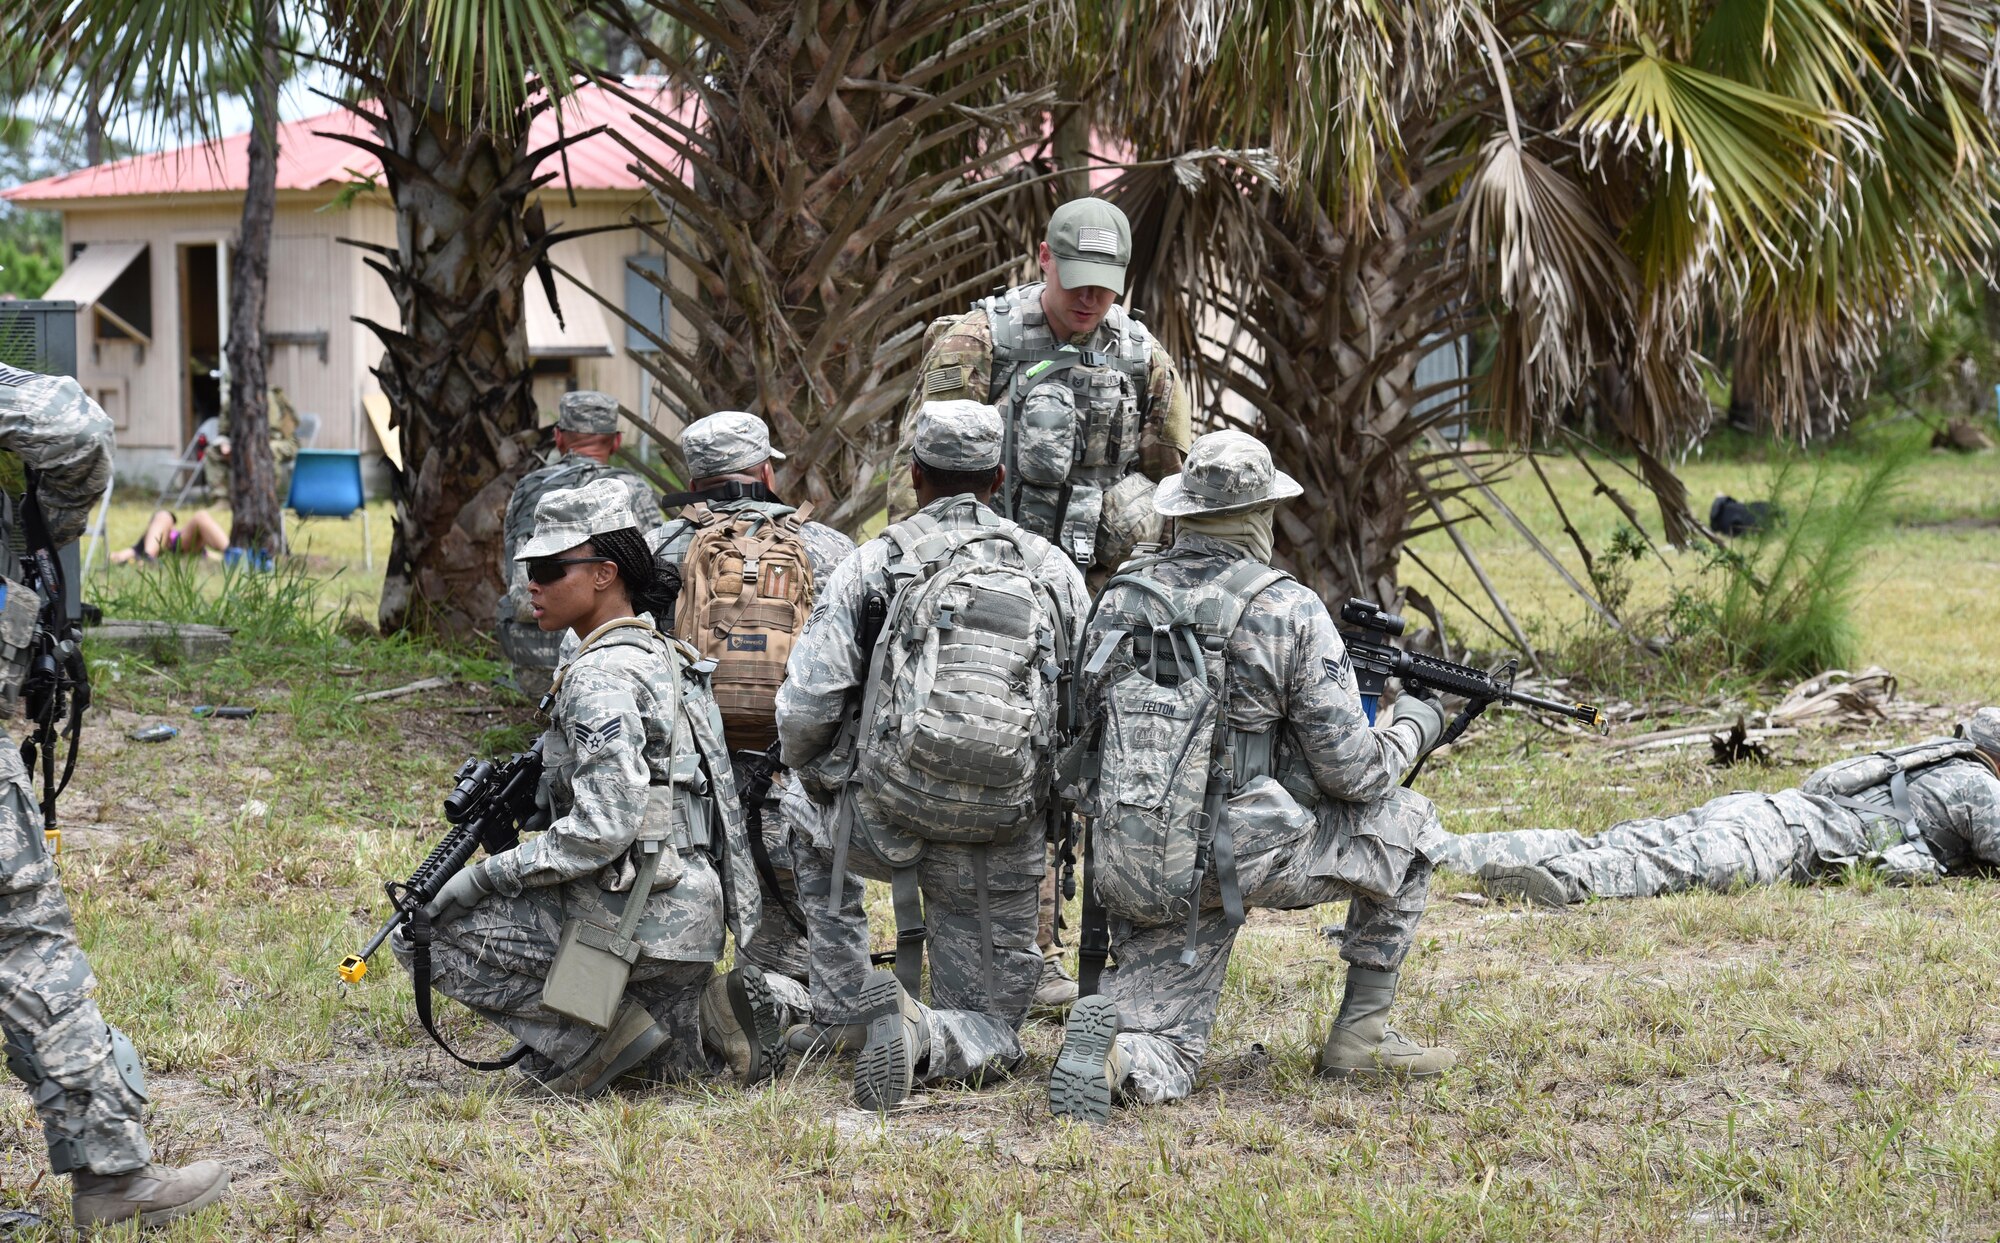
1315	812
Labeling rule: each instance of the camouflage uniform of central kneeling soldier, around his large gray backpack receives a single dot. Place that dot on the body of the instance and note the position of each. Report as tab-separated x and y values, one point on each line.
971	1032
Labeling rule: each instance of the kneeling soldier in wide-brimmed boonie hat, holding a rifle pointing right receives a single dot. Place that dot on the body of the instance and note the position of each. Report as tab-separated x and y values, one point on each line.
1279	796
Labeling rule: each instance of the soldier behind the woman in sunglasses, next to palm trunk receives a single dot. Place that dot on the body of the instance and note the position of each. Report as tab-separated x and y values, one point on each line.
587	437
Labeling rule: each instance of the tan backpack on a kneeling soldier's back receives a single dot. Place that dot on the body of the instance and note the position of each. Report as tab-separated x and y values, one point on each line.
745	597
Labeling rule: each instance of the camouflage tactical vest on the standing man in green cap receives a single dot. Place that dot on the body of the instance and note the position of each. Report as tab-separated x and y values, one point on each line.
1073	417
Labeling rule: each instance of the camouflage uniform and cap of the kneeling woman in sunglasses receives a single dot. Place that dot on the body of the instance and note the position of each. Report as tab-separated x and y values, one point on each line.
633	740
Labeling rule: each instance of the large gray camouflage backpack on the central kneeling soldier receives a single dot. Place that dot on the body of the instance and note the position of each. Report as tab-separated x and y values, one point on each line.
959	716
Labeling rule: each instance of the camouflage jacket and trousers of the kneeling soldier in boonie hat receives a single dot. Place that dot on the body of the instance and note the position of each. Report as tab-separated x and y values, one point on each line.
1315	814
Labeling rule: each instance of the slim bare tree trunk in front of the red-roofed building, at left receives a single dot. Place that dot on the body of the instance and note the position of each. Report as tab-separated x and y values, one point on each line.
255	517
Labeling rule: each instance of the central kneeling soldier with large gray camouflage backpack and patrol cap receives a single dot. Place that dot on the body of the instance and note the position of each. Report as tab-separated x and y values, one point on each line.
919	712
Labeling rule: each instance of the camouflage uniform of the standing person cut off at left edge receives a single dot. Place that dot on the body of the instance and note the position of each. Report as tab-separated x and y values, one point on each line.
85	1078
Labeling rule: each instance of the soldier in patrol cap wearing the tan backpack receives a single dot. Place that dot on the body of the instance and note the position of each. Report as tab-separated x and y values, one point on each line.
739	533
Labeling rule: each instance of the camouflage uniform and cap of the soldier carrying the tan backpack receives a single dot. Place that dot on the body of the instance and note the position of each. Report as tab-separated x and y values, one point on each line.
715	447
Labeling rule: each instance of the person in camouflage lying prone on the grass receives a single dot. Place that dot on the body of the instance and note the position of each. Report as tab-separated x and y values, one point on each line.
1915	812
